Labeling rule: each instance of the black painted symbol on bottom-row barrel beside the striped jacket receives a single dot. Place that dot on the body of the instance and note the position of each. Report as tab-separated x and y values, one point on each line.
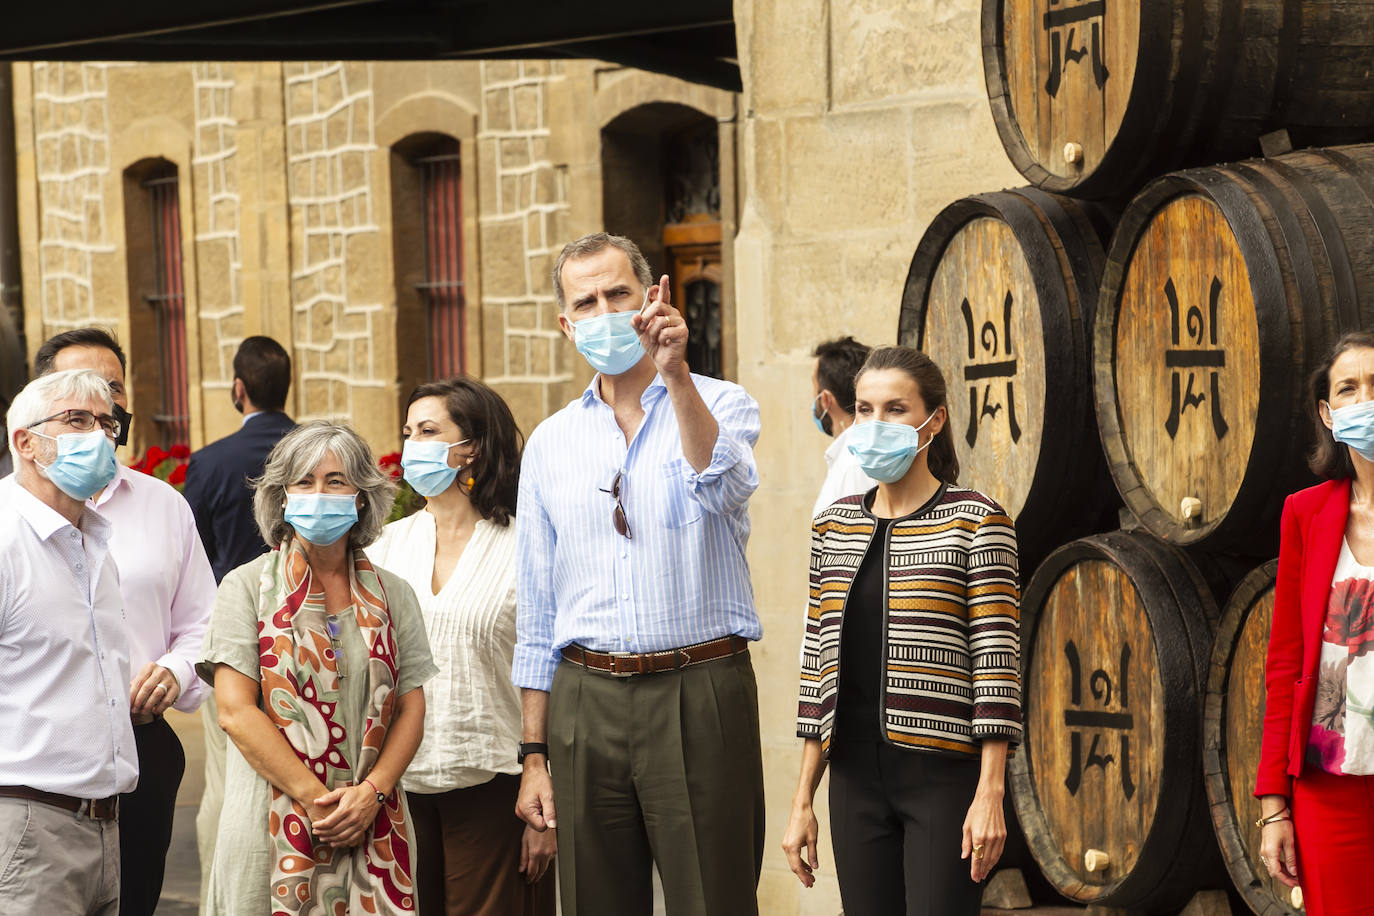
1097	722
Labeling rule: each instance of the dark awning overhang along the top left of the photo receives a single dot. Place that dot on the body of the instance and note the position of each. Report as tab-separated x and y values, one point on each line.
695	41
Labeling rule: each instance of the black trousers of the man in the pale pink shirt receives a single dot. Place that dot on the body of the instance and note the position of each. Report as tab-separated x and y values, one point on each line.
146	818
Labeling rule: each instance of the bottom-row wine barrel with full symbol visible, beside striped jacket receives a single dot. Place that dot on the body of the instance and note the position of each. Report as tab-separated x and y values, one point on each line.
1116	632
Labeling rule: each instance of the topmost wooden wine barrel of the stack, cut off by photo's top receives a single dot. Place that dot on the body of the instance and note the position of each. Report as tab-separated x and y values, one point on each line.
1094	97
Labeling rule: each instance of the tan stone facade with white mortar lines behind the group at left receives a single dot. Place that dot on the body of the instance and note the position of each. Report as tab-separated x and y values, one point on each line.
300	216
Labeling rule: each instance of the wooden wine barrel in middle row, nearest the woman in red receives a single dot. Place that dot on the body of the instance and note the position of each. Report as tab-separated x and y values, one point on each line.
1224	289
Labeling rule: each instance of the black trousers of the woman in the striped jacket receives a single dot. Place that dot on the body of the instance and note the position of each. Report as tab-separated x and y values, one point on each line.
897	825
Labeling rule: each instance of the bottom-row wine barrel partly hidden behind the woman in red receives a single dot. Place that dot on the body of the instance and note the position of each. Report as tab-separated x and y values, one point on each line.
1233	720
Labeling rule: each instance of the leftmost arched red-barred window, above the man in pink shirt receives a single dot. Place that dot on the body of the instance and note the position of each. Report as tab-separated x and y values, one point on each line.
157	297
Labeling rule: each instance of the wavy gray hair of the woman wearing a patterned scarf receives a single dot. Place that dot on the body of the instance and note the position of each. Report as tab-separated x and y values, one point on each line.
299	454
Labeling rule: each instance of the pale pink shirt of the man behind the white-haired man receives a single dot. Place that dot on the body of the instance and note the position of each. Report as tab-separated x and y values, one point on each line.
166	577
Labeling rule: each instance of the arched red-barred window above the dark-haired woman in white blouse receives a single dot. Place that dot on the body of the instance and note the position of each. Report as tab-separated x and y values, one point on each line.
428	230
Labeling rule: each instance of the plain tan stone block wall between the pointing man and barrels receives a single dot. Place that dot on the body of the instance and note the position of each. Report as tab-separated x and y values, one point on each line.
862	120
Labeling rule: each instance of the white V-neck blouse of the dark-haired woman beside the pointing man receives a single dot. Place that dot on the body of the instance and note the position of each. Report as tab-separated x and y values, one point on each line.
472	707
